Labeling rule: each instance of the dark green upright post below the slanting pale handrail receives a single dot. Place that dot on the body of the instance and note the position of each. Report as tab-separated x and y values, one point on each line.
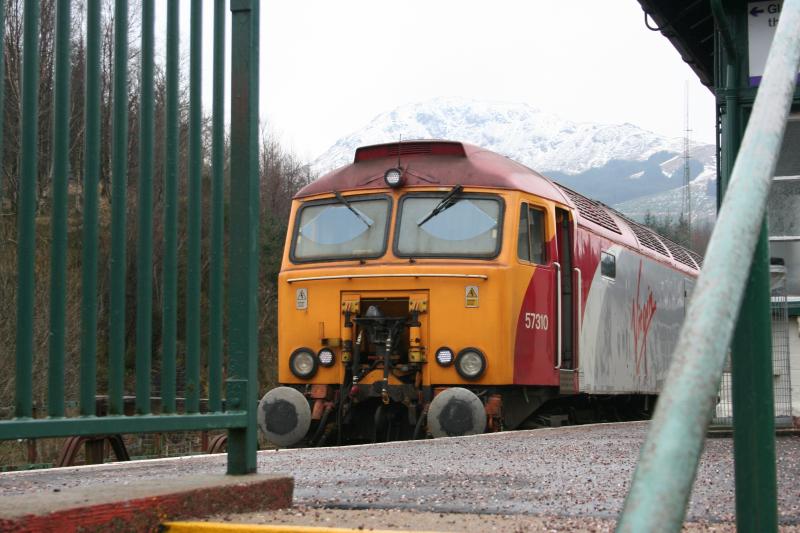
753	402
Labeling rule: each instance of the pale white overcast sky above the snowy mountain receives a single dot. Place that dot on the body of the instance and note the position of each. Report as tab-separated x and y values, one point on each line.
327	67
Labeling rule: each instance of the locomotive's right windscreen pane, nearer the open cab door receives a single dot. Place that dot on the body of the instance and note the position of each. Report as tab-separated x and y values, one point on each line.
469	226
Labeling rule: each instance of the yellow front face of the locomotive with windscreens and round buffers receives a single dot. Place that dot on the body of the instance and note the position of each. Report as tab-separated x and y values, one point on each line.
363	273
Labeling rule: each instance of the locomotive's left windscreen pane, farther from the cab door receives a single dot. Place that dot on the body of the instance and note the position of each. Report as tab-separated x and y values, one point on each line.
332	230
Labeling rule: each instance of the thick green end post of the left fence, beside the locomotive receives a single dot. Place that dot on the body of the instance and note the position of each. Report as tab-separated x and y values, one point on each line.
242	383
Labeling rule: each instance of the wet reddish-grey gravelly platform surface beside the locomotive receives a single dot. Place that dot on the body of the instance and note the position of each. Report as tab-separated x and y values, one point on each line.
580	471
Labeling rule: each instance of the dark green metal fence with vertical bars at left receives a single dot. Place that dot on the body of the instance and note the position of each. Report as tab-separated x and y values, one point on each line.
237	412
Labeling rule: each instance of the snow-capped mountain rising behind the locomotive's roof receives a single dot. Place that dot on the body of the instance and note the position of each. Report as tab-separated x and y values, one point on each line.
614	163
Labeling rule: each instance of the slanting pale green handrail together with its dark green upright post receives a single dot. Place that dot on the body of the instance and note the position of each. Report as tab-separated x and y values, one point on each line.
734	276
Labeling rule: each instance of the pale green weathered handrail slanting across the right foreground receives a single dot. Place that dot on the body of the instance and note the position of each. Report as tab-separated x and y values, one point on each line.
667	467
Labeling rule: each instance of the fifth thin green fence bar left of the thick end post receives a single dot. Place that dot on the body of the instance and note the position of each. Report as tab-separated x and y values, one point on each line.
119	176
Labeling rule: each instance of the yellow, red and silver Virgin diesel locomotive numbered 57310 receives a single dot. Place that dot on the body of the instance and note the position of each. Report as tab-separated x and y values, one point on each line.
437	288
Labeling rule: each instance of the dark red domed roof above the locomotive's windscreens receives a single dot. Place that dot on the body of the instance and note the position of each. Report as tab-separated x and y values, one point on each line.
435	163
